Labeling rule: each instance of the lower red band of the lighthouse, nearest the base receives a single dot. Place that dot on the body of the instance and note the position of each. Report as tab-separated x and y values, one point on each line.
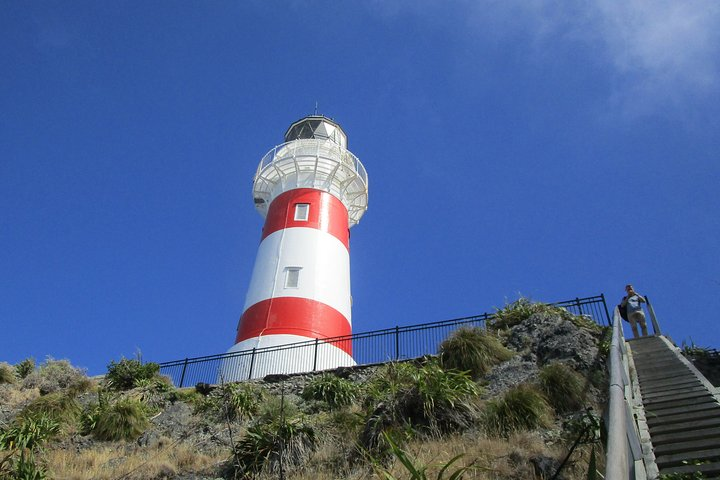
294	316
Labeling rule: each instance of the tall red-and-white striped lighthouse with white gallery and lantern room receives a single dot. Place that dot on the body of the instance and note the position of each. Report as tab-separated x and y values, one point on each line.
311	190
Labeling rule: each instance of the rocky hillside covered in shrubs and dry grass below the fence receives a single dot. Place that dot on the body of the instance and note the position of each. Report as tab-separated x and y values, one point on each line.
508	402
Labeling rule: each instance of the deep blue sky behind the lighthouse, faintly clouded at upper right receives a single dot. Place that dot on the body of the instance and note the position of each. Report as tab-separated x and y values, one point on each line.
552	150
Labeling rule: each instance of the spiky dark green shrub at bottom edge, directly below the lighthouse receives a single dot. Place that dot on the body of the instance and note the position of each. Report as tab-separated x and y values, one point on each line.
266	445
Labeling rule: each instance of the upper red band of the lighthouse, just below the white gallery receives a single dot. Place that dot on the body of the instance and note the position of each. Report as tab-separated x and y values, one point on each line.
327	213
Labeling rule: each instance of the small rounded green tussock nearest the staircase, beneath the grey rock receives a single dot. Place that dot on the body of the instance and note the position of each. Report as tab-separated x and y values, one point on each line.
563	387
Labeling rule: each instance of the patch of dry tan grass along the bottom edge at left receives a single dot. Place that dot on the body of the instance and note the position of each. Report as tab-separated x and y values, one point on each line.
163	460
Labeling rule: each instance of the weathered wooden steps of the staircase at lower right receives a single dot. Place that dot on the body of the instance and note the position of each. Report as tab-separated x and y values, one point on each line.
683	415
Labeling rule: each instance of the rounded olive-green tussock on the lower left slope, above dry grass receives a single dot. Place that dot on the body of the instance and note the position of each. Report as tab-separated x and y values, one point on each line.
125	419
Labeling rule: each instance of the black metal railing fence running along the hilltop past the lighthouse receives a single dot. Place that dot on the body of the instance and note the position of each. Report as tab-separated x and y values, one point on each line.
398	343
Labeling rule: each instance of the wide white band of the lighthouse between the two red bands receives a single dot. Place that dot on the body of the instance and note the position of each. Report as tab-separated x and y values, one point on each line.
324	269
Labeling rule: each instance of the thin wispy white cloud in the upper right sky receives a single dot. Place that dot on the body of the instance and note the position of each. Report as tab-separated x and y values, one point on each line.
658	54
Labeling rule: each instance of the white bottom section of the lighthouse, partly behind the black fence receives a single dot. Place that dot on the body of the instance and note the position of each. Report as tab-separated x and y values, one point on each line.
281	354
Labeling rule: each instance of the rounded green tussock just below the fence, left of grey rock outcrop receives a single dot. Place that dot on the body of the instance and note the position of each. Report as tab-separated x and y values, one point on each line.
474	350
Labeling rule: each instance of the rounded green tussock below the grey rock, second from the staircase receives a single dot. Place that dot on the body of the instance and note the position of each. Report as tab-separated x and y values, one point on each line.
520	408
